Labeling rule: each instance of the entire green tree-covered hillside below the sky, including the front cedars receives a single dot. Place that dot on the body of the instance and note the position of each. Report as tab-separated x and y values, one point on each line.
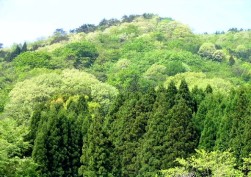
142	96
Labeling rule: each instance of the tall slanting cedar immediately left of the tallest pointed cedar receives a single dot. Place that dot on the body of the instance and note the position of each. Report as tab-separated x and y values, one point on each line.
153	149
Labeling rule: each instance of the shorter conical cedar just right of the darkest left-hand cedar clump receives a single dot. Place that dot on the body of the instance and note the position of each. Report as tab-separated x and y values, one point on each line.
96	150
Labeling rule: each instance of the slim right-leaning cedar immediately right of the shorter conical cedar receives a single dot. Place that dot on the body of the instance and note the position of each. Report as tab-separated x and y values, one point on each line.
123	137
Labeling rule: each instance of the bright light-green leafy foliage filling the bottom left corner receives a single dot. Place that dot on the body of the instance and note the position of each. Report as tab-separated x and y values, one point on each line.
12	147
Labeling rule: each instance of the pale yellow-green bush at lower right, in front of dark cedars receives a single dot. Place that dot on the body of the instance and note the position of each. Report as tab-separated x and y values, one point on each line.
215	164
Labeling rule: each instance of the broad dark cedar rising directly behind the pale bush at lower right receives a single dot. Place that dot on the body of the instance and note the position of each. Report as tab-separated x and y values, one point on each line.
181	138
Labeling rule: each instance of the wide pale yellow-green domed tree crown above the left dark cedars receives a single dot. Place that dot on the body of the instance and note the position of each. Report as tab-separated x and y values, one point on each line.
23	99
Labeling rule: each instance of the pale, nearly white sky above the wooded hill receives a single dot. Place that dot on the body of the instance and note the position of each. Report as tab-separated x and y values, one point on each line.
29	20
